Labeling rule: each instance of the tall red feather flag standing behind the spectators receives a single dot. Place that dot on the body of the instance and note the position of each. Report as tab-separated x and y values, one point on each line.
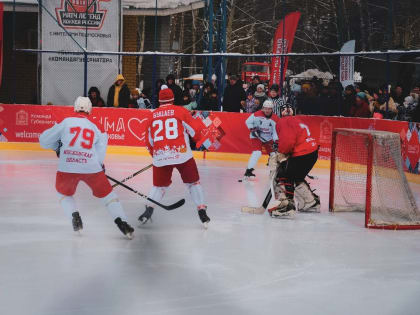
283	45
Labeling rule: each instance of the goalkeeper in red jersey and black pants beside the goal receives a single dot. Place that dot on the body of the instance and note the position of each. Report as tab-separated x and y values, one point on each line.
295	155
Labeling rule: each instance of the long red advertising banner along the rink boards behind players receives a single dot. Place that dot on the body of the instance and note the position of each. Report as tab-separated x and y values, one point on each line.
224	132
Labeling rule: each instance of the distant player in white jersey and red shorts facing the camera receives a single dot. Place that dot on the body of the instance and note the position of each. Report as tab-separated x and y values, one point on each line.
262	126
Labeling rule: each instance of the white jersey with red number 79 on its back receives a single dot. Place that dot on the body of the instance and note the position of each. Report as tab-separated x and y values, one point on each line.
84	145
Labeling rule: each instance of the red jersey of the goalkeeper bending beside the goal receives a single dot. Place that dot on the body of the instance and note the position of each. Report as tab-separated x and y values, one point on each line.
294	137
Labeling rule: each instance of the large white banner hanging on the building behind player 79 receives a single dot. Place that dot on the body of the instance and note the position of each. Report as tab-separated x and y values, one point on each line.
63	74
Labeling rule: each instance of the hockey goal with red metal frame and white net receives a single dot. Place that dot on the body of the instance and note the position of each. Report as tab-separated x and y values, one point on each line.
367	175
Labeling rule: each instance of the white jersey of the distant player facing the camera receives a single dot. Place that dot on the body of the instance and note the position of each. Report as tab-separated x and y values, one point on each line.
266	127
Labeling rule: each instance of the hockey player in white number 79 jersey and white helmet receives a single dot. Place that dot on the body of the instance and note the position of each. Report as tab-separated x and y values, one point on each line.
81	148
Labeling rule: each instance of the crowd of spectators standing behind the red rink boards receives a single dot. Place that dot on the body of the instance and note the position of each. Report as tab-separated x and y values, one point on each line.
306	97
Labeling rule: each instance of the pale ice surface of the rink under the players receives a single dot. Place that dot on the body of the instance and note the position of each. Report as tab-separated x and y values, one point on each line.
243	264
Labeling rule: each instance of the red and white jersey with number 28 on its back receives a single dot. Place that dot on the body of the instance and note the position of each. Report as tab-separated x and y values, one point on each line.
167	134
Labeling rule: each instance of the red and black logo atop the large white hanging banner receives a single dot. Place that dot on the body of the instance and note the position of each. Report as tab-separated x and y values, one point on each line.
79	14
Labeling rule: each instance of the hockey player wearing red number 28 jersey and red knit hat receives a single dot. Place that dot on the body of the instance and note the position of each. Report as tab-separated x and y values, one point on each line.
168	143
